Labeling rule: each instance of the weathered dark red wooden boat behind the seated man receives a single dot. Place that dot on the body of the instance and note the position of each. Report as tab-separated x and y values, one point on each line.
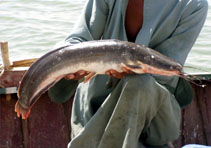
49	123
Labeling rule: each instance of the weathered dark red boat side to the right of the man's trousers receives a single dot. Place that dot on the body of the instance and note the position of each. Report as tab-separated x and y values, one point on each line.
196	118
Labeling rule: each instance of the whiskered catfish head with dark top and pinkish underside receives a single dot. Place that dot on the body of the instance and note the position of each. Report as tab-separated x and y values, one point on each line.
150	61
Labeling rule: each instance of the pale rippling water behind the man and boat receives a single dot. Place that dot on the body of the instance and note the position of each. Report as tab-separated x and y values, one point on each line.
32	28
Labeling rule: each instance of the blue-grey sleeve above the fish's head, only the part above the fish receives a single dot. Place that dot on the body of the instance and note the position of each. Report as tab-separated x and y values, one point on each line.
179	44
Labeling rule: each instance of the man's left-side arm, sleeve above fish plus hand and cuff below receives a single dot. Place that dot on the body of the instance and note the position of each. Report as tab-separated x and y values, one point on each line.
90	27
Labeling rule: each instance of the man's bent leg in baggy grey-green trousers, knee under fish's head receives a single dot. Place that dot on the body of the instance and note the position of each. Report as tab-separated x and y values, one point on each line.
138	104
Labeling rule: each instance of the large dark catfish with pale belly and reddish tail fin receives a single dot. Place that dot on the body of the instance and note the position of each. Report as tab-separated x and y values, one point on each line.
94	57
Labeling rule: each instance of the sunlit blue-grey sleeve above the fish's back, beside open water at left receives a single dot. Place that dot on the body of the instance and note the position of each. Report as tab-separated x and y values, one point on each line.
91	23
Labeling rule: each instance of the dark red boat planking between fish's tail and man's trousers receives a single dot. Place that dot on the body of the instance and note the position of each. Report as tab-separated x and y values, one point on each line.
47	125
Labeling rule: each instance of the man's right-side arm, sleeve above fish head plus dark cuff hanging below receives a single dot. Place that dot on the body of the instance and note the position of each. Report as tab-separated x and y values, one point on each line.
179	44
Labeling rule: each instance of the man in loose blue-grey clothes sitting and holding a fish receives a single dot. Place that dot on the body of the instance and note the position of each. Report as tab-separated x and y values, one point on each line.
139	110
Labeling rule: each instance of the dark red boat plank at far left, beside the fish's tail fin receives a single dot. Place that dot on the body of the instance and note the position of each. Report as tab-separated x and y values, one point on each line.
10	125
